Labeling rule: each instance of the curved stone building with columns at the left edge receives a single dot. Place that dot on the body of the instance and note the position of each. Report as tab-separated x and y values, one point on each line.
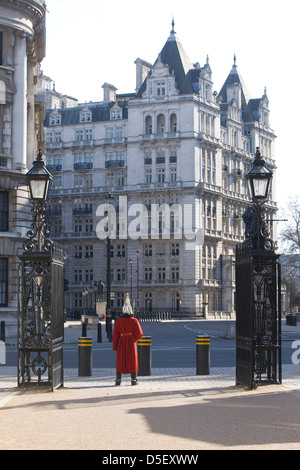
22	48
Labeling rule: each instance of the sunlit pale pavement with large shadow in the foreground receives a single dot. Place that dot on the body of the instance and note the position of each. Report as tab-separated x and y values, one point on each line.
172	411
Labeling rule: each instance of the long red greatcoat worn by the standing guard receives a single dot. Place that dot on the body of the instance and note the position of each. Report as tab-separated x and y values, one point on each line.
127	331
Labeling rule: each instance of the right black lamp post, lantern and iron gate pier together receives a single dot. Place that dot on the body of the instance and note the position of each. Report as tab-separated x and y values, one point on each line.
258	289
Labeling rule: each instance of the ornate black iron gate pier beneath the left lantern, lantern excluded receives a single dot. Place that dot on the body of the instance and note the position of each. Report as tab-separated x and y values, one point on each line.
41	322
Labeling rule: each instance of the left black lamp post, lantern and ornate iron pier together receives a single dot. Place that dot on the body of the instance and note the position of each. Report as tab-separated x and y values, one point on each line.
41	313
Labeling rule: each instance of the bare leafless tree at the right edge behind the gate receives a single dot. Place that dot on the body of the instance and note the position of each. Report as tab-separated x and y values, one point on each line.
290	236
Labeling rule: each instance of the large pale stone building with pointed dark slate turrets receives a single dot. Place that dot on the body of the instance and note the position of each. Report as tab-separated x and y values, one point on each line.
173	154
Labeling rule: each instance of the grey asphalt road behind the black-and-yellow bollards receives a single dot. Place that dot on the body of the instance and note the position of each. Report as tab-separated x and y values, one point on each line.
173	344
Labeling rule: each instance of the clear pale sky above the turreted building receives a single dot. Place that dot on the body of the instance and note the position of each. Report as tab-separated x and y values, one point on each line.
95	41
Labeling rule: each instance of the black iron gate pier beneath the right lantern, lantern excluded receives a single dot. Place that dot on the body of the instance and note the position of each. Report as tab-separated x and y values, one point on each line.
258	321
